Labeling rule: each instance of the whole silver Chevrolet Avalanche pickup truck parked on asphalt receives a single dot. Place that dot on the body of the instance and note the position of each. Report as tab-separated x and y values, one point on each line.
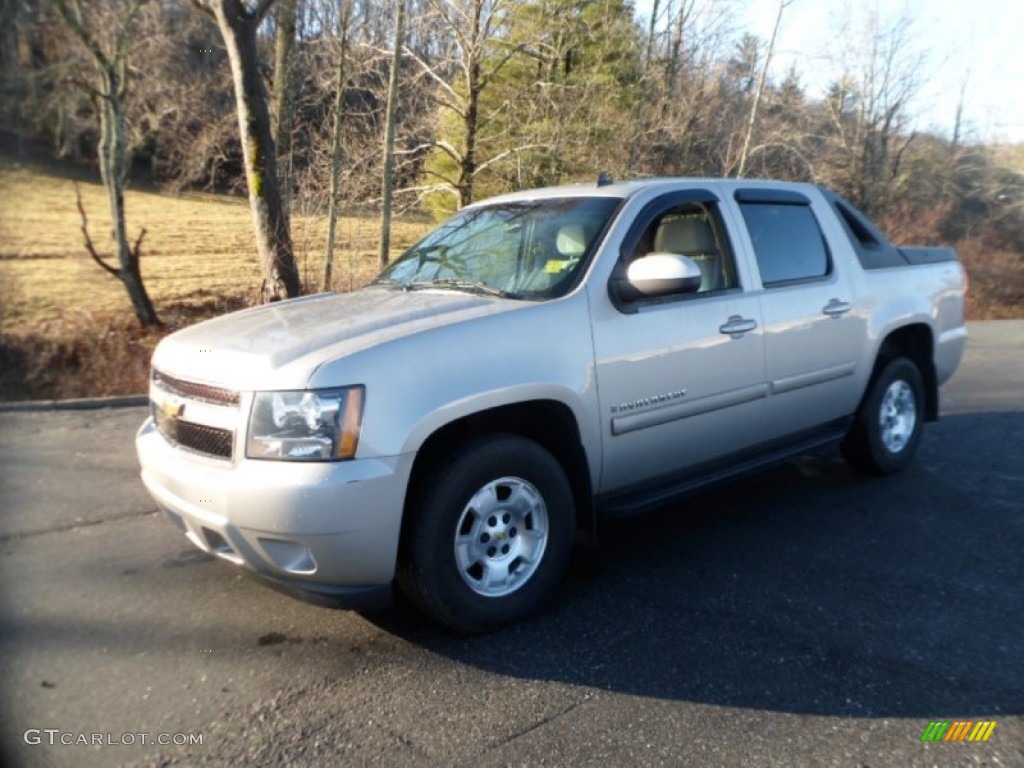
538	362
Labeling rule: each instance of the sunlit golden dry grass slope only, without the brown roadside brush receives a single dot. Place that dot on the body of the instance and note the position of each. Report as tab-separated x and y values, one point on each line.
198	248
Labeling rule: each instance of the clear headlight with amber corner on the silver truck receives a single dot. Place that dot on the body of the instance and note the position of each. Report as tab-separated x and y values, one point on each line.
313	425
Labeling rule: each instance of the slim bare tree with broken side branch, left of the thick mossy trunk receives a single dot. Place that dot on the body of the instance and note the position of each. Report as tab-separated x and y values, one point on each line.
110	63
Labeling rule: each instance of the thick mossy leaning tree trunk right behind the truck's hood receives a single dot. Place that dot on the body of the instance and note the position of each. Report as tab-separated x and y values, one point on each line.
274	239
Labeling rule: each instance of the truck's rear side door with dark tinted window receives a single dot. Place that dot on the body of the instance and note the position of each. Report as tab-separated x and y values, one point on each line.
814	330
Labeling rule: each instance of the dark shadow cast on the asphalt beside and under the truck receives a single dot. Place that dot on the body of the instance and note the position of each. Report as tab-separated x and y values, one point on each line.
804	589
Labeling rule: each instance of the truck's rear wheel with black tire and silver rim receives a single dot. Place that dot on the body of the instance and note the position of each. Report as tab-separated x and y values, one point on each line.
887	429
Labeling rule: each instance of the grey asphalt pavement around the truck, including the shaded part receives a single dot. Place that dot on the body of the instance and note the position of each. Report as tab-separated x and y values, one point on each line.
802	617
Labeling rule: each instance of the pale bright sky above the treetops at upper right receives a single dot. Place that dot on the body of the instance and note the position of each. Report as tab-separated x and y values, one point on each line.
979	40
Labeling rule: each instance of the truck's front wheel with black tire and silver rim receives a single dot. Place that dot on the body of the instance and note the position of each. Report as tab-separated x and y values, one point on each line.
490	536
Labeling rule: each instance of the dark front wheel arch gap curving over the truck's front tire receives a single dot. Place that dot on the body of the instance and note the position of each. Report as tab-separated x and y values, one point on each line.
549	423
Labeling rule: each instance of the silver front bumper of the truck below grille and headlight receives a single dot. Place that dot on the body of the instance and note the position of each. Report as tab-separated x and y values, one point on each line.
329	531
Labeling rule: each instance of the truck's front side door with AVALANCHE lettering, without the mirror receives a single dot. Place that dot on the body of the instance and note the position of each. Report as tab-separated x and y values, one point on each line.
680	379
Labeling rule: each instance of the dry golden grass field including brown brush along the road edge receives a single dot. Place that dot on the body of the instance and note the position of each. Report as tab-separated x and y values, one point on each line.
66	326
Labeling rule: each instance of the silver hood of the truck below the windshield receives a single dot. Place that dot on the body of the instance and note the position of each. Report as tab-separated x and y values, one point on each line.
279	347
